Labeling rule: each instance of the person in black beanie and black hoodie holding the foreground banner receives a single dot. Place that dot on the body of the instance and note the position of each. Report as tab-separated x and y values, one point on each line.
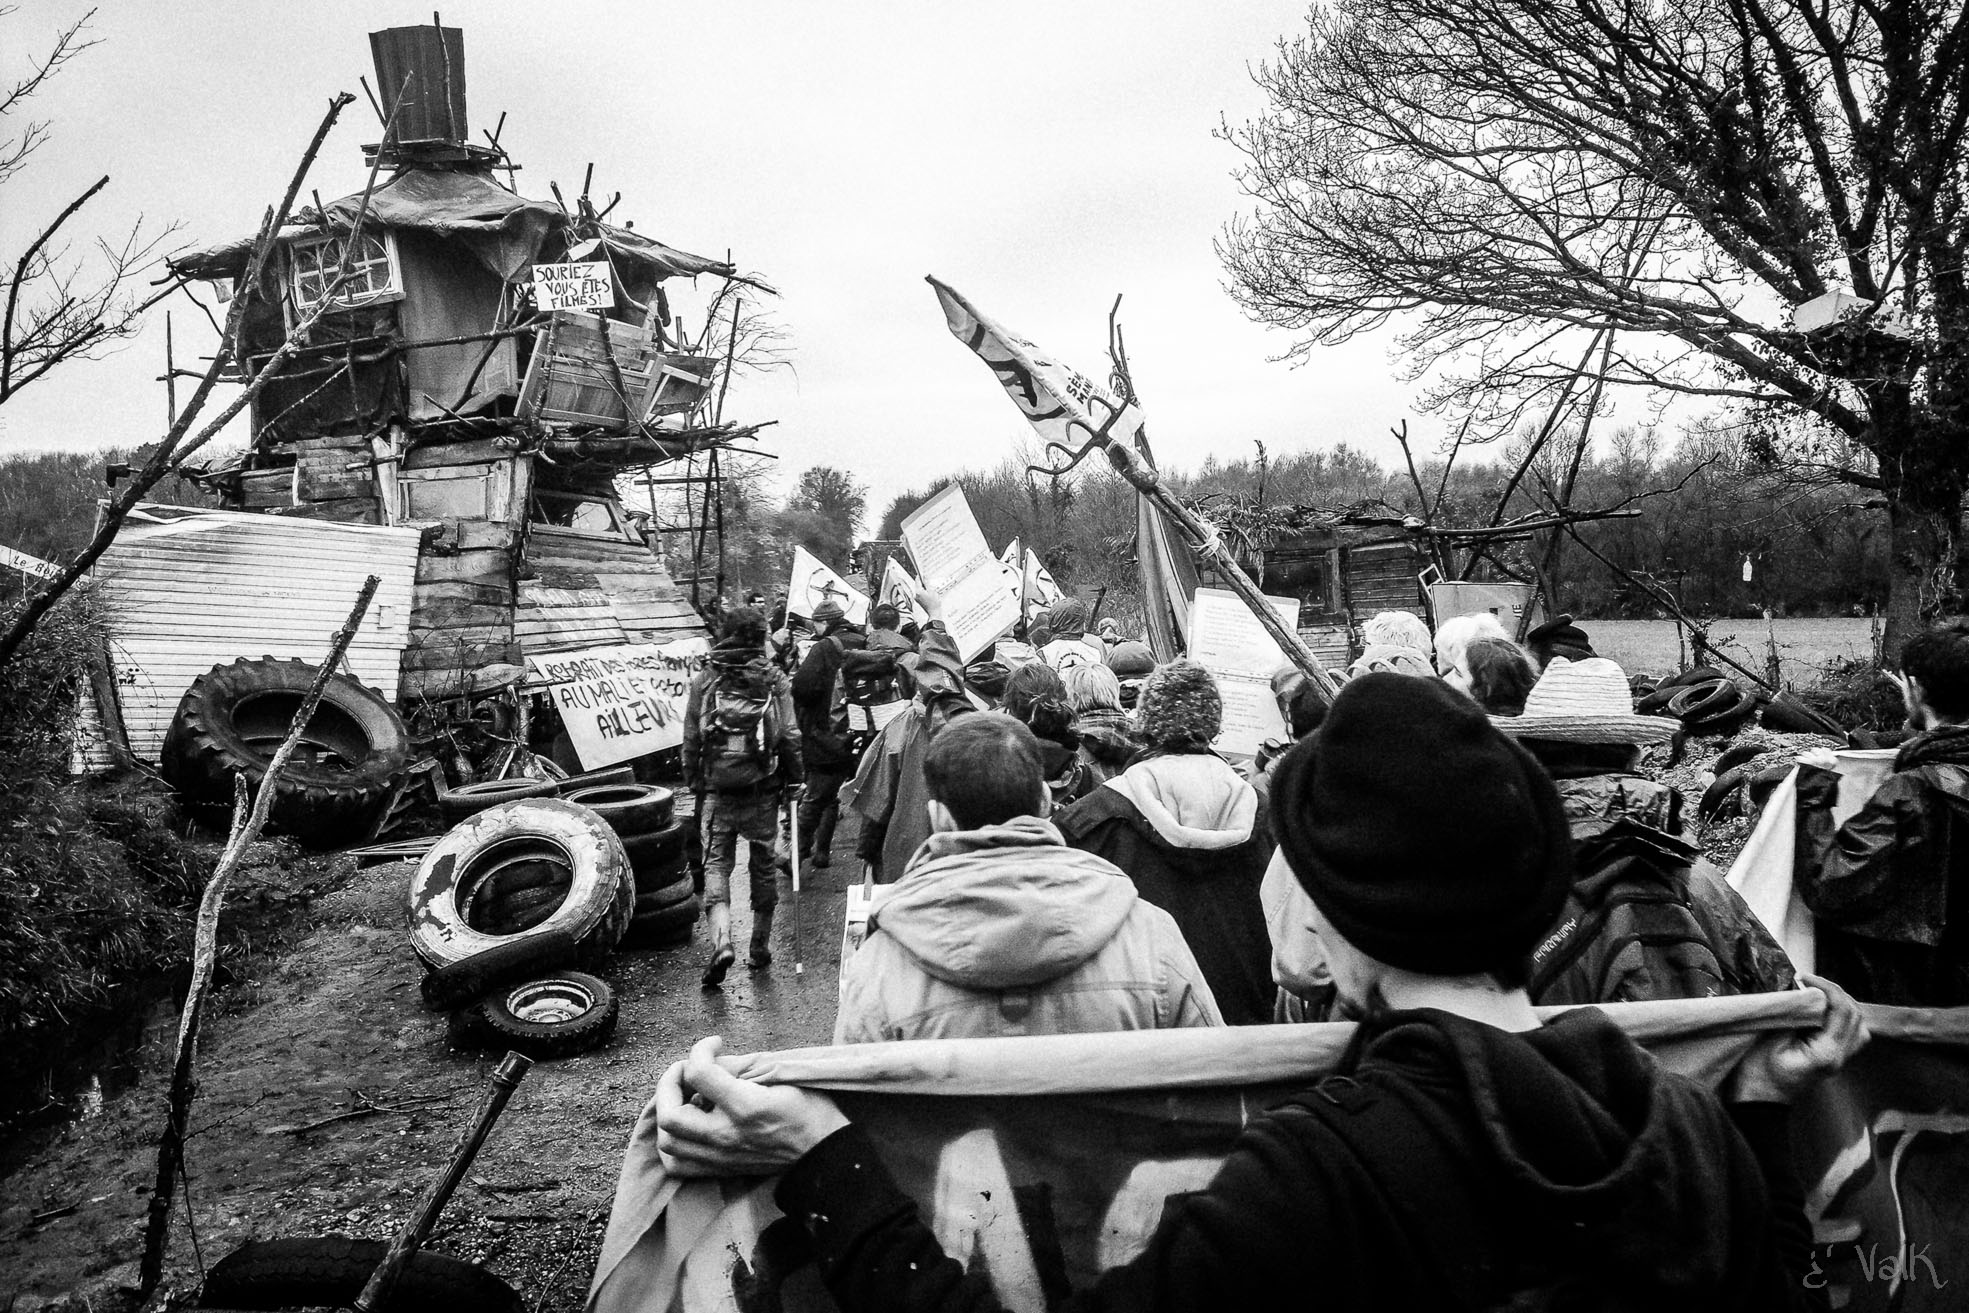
1466	1155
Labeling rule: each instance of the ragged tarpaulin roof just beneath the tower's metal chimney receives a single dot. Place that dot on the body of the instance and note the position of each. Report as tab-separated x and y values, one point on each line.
503	229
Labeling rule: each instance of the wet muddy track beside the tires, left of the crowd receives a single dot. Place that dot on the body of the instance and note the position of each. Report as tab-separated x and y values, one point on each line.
334	1027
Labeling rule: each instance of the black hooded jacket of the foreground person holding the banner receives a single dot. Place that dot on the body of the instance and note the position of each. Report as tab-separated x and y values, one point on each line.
1454	1166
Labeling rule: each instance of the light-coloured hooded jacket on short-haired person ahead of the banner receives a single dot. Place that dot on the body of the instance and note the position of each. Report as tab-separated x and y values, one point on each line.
1009	932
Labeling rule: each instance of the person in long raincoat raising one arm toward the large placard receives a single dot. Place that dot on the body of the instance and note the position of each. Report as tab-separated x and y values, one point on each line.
889	792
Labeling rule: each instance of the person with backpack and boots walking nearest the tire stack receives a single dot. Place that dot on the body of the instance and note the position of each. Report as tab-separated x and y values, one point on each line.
741	753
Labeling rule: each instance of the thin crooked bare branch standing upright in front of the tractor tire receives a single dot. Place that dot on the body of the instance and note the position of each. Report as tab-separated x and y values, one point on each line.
206	950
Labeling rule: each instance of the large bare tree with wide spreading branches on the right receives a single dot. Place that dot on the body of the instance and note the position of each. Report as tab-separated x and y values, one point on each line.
1511	180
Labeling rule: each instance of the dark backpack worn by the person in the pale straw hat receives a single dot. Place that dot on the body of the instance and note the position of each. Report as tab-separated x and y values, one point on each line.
1629	930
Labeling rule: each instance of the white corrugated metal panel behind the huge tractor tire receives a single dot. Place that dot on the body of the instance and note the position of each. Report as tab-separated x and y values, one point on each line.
190	590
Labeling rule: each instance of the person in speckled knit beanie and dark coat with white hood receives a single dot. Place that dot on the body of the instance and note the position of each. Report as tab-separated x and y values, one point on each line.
1186	830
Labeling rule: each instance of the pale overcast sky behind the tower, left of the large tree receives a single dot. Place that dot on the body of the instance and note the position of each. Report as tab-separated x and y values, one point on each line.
1041	158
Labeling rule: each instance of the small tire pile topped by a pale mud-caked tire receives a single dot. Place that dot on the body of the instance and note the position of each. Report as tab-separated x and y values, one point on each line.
507	910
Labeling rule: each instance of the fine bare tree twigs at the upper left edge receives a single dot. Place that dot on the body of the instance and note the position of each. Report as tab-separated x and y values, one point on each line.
64	304
